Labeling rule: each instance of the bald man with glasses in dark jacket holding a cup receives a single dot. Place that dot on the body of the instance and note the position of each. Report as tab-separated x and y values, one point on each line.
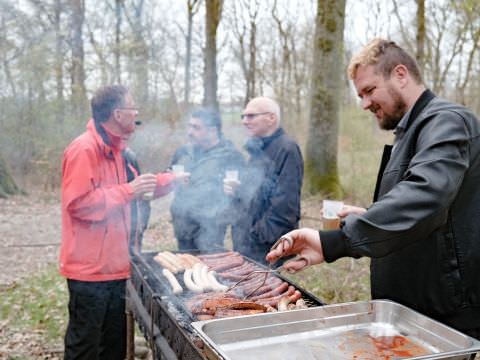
267	197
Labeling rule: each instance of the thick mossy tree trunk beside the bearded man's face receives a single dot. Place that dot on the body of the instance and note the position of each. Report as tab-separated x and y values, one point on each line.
321	170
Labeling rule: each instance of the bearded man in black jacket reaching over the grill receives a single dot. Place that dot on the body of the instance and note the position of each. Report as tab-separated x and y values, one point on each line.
422	231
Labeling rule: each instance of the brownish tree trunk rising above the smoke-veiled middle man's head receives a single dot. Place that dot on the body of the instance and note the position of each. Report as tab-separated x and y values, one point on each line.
213	16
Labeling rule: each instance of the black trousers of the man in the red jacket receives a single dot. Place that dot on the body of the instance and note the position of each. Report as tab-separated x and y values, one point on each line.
97	321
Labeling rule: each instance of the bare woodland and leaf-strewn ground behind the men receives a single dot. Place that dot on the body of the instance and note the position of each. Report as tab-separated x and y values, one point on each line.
176	55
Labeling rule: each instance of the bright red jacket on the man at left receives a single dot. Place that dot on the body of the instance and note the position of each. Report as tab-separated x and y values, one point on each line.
95	209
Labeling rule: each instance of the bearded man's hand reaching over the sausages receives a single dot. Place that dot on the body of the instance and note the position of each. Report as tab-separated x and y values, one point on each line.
303	242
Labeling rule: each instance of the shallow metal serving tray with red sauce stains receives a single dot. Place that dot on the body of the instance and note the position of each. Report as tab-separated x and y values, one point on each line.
377	329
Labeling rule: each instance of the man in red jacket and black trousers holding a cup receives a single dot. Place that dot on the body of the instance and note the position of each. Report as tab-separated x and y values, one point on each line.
96	221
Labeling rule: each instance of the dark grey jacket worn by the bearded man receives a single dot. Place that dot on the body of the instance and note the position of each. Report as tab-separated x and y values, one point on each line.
423	230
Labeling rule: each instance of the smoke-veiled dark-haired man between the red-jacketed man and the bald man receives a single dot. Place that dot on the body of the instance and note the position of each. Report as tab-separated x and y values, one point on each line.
200	210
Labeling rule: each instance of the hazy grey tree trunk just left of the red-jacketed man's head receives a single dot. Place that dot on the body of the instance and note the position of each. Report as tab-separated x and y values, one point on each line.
79	96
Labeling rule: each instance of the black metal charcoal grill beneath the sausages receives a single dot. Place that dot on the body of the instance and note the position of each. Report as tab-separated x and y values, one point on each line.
164	318
